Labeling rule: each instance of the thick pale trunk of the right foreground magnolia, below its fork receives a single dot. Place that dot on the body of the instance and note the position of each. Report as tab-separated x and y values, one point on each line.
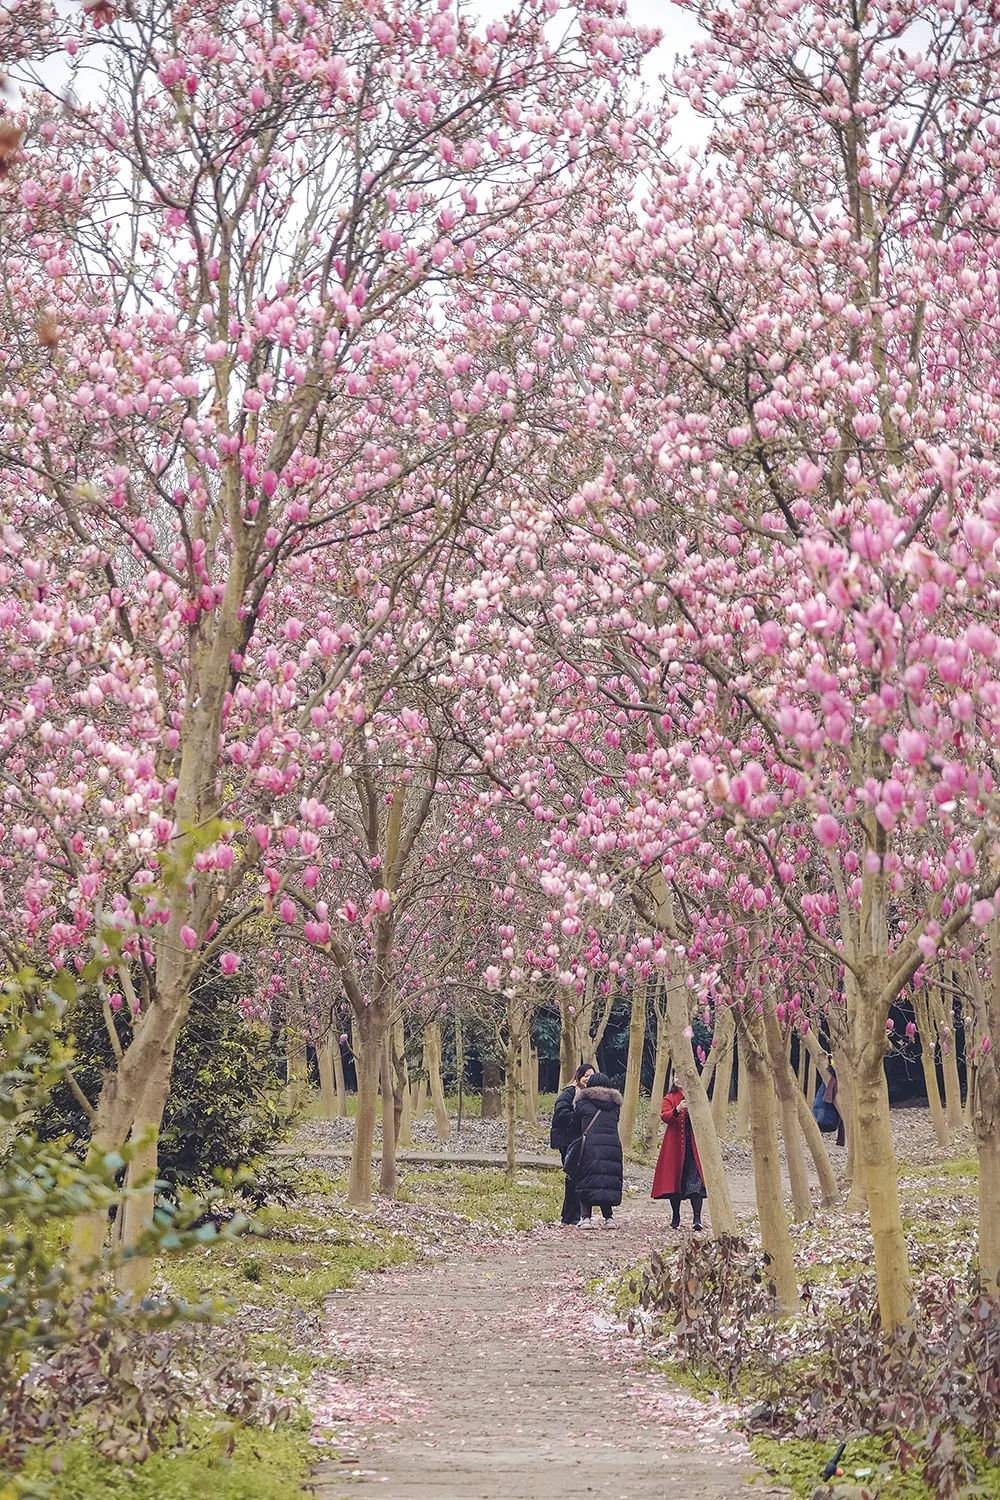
878	1163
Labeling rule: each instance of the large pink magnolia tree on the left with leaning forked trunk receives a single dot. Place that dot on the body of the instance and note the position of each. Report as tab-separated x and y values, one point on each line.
226	247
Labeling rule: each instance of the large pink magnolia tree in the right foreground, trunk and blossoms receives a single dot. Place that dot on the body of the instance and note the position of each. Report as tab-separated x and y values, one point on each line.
777	539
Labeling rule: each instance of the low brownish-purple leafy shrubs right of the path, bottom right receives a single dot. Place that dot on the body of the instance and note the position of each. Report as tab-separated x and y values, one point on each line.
932	1393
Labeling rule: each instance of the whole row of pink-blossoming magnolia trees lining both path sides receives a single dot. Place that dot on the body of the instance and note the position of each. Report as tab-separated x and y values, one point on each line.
458	538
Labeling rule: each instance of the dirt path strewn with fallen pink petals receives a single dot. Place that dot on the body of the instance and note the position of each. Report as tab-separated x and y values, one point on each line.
493	1375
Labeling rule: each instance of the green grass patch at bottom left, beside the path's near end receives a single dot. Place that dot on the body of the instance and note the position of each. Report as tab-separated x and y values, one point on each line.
209	1463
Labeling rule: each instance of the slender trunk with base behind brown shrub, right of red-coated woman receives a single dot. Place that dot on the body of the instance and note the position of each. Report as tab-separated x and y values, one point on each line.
764	1135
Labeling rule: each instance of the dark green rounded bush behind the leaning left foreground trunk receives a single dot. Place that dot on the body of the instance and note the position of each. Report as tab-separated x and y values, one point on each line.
226	1102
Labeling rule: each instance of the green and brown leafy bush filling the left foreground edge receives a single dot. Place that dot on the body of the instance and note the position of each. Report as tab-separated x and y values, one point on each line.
73	1358
